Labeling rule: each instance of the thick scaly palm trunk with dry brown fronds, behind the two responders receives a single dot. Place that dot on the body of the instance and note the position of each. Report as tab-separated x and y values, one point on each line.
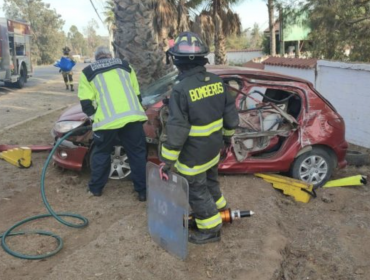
142	30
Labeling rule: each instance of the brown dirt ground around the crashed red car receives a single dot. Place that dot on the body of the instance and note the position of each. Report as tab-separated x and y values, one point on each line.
327	238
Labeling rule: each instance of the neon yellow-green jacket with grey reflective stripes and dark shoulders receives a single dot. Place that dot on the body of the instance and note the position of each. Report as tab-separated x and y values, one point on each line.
109	89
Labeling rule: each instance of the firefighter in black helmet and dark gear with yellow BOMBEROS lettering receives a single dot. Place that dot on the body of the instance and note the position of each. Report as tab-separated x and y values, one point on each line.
200	110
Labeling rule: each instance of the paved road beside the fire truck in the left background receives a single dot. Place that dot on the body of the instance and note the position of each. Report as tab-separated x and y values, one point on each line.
44	92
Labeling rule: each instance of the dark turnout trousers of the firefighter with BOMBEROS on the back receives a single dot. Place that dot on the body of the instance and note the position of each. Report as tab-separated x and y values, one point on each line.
204	191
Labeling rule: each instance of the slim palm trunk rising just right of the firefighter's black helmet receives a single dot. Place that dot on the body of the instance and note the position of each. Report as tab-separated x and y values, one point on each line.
220	41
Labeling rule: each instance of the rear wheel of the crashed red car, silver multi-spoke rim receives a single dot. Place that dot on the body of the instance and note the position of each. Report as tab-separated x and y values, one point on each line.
314	167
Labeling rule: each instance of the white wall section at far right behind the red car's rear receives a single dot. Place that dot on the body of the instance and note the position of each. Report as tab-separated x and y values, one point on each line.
347	87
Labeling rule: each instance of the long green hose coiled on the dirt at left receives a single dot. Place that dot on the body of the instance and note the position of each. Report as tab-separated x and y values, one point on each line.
52	213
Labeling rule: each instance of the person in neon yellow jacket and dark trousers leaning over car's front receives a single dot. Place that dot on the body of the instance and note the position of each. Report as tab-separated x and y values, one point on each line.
109	93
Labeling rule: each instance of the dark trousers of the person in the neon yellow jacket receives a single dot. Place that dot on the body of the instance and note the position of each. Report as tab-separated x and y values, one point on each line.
132	138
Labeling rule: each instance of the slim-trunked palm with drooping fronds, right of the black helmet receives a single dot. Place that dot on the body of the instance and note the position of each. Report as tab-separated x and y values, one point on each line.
222	20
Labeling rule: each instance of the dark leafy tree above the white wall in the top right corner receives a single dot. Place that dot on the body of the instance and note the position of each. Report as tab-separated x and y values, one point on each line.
339	25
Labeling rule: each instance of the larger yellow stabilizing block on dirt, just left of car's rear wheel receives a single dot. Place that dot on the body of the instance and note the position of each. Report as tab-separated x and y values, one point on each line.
301	191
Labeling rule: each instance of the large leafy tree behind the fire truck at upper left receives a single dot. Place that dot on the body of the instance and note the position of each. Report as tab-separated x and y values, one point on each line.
46	25
